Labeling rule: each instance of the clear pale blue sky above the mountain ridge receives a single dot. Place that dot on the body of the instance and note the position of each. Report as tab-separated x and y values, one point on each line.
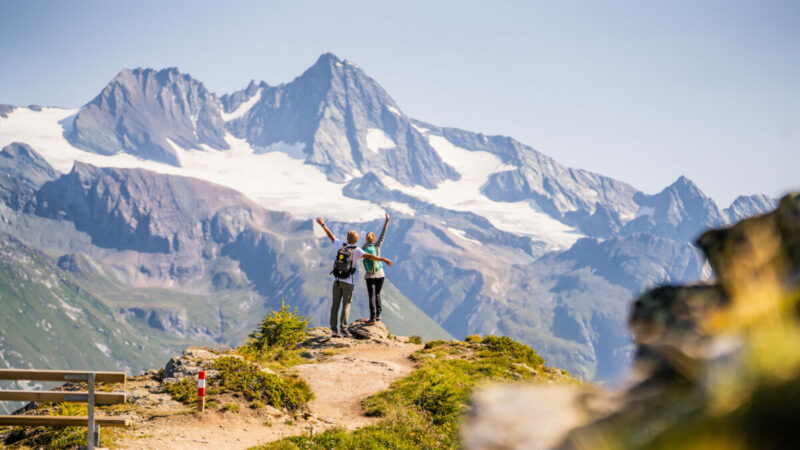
643	91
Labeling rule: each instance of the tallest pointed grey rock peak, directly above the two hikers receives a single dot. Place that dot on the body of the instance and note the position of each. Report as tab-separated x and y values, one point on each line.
346	122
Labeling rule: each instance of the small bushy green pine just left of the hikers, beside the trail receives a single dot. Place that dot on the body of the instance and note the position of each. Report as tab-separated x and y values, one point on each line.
283	328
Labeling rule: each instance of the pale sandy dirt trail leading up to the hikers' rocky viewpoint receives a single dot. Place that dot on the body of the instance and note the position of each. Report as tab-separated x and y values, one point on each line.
339	385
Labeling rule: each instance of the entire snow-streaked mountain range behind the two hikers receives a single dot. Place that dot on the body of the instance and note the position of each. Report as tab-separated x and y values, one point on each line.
168	214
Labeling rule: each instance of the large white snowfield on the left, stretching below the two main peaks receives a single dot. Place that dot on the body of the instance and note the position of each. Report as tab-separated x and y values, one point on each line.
273	179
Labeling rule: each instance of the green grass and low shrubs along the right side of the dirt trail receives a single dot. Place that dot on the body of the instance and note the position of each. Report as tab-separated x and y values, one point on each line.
424	409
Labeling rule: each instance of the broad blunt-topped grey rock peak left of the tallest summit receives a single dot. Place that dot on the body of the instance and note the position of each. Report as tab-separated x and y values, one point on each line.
140	110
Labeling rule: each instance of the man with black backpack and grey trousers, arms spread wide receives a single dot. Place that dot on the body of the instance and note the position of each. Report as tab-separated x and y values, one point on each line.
344	270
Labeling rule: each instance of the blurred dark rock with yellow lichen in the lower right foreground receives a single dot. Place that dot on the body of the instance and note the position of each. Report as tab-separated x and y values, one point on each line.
717	365
